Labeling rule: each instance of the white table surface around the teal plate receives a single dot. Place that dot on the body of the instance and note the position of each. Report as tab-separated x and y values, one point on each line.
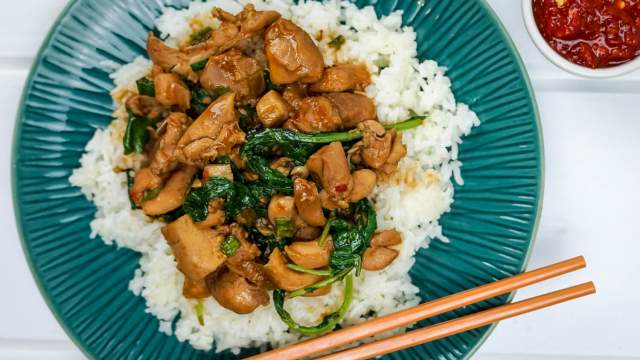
592	194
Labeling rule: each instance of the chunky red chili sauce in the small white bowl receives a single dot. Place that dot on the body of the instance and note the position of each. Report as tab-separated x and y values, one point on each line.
591	33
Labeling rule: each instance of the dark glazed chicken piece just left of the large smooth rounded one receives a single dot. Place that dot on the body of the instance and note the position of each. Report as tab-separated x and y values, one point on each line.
242	74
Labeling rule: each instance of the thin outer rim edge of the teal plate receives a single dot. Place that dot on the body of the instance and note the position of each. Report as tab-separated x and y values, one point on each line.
16	140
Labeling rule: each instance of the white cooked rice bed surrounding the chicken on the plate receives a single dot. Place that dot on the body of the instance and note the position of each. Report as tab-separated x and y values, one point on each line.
412	202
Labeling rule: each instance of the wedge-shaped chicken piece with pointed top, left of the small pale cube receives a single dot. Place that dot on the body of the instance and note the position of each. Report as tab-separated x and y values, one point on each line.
214	133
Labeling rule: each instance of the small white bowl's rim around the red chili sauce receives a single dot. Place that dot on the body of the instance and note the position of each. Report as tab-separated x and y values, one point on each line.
561	62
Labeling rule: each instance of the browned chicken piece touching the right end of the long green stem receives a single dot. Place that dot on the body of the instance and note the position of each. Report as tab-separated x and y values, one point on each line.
376	143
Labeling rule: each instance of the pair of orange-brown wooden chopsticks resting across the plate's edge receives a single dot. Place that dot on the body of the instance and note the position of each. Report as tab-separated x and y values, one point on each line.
439	306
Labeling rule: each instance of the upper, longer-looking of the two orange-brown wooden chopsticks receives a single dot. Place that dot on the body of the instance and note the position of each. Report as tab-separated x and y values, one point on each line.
423	311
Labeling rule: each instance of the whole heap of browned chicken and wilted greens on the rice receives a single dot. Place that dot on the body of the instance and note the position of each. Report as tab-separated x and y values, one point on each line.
261	169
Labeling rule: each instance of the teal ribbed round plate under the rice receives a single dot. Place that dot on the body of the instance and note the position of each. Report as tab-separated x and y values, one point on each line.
491	225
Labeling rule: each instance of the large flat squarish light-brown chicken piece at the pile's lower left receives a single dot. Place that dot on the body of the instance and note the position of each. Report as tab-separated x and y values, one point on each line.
197	251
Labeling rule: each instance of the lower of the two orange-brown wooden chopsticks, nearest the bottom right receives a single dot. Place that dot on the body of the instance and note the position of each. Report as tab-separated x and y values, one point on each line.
462	324
